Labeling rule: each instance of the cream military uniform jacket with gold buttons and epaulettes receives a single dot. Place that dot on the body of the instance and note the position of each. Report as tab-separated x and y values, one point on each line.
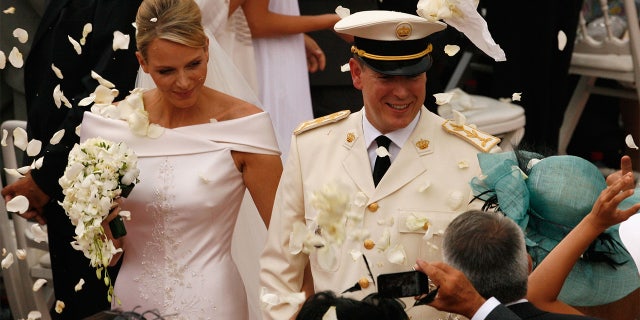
428	181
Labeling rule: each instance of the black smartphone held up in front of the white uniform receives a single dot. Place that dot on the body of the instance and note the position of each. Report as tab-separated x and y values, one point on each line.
403	284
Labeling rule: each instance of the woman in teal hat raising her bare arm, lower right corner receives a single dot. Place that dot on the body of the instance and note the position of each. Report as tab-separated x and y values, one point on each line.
548	198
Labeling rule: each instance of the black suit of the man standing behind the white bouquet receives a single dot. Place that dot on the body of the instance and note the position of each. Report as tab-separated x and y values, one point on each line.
65	18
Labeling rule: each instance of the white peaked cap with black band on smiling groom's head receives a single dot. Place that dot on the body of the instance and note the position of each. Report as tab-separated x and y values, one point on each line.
392	43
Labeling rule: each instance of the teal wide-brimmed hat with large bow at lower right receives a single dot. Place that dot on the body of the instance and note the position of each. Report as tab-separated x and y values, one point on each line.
547	199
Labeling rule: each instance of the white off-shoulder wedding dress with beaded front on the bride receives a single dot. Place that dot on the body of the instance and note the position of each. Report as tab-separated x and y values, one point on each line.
183	211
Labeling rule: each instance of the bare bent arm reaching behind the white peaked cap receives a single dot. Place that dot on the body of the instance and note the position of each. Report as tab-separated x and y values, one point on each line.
264	23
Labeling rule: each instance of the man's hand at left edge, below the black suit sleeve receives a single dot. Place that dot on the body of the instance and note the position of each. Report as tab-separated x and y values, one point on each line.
37	198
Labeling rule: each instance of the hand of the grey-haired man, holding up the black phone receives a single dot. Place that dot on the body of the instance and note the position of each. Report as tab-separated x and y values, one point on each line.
456	293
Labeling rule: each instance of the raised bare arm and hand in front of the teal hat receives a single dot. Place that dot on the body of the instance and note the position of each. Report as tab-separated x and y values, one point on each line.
546	281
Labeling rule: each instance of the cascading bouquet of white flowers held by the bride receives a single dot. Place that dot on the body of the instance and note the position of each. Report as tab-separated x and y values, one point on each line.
98	172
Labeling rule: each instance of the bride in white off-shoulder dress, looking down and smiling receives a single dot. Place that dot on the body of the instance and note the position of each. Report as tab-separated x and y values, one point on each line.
193	176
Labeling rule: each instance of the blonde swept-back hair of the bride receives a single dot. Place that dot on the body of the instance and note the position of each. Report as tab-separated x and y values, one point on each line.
179	21
